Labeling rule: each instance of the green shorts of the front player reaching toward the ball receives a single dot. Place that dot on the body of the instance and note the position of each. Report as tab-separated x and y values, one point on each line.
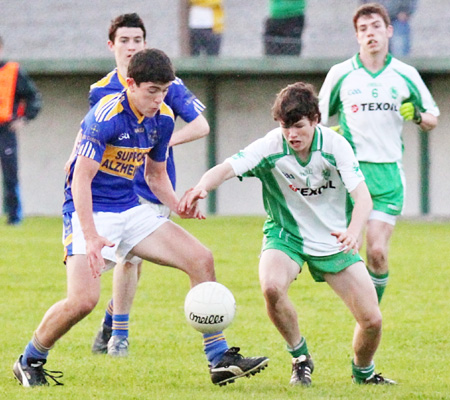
318	265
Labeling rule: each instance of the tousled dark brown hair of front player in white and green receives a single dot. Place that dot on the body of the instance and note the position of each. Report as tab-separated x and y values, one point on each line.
295	102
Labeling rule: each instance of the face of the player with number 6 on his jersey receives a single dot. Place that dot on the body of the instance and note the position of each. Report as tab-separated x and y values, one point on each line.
372	34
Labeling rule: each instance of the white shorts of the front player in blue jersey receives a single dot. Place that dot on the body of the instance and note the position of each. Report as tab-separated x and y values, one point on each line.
125	229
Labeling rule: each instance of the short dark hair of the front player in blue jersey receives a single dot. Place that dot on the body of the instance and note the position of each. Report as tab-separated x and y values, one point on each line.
151	65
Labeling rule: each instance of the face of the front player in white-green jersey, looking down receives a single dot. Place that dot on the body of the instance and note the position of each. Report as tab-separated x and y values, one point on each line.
300	136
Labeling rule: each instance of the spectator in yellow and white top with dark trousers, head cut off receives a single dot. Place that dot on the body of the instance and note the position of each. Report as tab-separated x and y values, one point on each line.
206	22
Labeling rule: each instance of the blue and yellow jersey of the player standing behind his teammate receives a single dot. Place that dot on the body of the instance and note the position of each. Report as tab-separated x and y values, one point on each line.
179	98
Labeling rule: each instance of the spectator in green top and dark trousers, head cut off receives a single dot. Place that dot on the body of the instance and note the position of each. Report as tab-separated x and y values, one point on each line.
284	27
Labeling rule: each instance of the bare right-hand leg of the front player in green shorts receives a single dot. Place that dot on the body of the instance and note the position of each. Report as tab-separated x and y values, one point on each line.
356	289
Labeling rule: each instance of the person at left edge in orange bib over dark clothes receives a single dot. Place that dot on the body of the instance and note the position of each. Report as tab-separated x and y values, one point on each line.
19	102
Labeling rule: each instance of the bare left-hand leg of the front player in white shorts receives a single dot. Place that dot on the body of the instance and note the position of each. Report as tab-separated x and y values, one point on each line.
83	292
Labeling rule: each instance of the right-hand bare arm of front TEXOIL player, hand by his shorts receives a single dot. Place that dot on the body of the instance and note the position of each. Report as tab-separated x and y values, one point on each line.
360	215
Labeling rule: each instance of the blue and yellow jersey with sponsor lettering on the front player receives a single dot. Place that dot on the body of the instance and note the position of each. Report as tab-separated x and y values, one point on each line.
118	137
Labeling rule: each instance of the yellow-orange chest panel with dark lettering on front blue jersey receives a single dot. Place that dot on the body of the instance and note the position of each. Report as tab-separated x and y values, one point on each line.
122	161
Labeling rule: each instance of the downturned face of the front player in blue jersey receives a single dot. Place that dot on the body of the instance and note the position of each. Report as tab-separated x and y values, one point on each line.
148	96
